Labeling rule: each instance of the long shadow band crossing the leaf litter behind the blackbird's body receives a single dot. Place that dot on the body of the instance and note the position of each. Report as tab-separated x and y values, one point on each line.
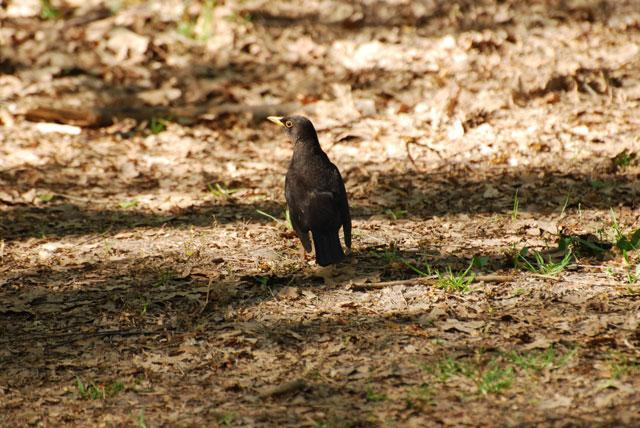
421	195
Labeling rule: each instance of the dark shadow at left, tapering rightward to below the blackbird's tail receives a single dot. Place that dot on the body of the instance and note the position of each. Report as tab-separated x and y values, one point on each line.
59	306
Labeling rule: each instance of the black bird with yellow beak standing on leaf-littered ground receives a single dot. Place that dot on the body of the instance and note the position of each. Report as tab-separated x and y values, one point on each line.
315	193
